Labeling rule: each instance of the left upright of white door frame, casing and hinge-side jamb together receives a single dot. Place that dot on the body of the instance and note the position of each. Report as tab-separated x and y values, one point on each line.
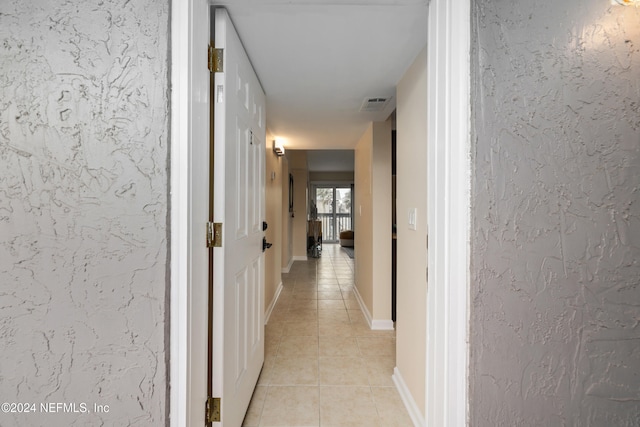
188	305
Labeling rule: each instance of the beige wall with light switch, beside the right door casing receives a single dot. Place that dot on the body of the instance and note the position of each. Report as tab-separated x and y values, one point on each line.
411	178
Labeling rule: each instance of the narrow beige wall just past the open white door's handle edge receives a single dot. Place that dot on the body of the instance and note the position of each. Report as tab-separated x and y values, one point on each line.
273	216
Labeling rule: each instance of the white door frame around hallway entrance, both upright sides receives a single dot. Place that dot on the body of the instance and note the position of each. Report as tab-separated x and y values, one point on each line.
186	354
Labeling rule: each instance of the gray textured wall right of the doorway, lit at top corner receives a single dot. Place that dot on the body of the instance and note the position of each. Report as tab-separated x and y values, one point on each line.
555	241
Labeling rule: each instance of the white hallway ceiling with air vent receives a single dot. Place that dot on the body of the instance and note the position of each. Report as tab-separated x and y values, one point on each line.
318	60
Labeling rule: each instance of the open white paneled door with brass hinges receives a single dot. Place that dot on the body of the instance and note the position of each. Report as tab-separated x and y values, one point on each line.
238	266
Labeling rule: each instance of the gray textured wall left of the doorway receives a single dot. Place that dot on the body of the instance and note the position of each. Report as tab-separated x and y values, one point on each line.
83	210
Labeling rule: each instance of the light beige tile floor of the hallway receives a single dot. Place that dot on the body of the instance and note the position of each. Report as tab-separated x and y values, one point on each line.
323	365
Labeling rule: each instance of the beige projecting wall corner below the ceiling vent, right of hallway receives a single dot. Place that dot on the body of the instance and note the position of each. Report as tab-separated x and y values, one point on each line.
372	221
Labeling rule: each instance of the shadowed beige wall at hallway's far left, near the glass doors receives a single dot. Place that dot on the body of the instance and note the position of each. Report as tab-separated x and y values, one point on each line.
298	168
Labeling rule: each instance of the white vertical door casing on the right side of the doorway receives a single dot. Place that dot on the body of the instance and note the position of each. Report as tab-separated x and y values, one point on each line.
448	181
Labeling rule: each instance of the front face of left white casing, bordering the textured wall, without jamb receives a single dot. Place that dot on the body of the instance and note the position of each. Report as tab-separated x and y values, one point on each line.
179	213
